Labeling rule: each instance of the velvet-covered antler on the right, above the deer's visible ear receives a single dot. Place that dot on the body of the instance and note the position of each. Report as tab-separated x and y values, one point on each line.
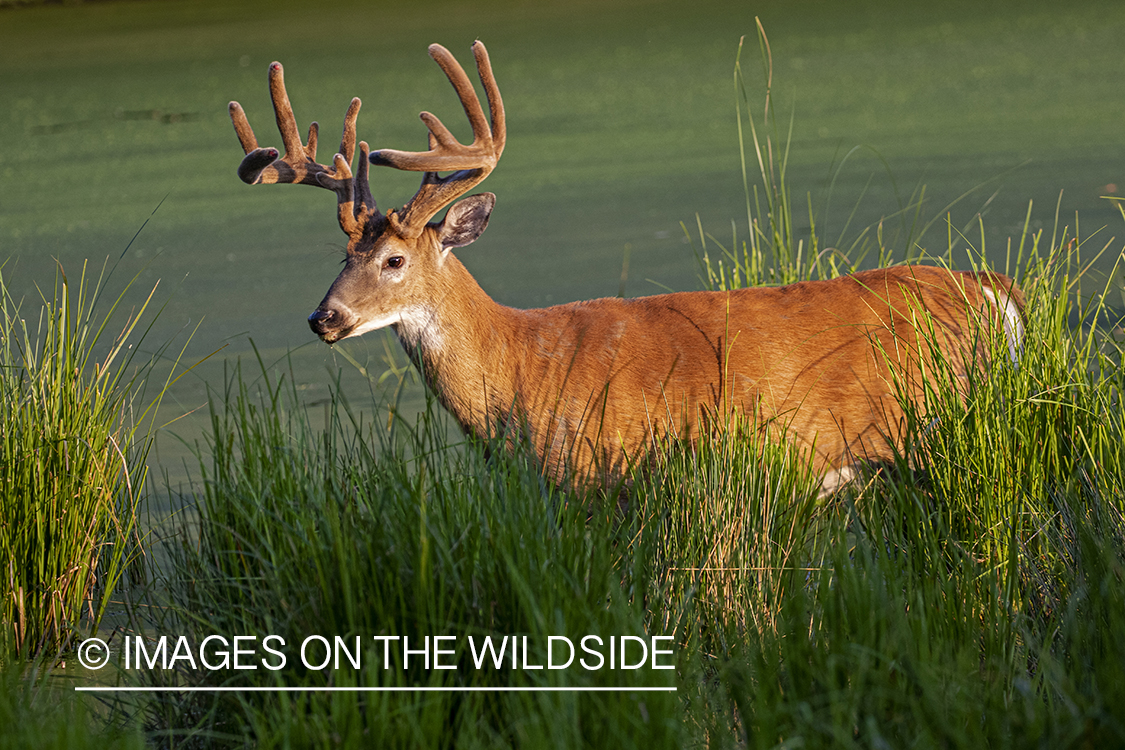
473	162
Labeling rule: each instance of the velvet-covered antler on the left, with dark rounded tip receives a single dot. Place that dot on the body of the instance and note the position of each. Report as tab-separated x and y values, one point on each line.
355	204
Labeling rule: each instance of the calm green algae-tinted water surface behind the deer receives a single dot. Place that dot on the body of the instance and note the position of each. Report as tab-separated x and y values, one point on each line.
622	126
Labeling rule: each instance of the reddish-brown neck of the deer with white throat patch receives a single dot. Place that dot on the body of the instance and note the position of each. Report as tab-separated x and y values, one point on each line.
461	345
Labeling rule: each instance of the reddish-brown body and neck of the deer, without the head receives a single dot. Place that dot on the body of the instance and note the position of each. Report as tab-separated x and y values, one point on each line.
593	385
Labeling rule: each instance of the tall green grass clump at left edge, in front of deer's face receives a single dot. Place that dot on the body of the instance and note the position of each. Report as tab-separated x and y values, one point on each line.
73	459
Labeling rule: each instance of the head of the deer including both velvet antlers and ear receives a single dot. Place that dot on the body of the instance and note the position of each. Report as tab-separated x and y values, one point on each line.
393	259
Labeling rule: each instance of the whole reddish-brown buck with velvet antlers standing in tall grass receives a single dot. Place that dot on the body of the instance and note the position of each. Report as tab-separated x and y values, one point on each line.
595	387
